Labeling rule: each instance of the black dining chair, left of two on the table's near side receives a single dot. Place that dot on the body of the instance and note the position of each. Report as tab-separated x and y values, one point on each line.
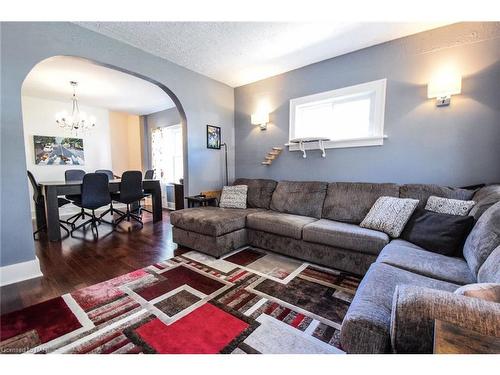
95	194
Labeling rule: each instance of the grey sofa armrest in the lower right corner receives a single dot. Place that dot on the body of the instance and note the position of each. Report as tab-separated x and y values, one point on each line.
414	310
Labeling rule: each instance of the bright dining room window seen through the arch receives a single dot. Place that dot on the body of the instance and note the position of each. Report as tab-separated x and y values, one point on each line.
166	145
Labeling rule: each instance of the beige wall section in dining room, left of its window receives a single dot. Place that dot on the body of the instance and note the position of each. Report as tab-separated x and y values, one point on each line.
125	142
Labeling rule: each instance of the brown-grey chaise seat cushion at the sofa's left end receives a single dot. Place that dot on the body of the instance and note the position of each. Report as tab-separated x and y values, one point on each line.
212	221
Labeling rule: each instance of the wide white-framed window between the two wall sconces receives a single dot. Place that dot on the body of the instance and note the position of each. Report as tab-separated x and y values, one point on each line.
350	117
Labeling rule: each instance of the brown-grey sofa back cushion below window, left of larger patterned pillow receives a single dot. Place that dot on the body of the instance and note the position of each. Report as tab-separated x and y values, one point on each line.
350	202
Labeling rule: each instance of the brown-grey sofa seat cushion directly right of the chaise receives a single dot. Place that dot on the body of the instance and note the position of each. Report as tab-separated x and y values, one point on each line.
278	223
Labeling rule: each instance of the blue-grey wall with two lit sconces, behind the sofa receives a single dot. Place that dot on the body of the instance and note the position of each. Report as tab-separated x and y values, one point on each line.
455	145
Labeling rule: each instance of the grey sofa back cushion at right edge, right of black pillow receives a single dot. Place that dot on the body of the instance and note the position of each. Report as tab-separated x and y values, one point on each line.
483	239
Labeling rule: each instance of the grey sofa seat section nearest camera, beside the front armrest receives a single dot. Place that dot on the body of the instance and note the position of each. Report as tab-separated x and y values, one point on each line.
366	326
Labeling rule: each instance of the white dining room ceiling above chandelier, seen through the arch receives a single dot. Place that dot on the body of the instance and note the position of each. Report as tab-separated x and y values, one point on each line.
98	86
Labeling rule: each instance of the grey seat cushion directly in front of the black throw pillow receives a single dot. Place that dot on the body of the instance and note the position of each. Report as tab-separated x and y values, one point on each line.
426	263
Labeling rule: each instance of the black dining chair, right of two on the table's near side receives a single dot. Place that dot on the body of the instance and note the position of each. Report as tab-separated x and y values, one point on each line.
130	192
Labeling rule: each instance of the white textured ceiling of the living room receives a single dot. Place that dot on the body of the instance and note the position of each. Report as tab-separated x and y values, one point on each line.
238	53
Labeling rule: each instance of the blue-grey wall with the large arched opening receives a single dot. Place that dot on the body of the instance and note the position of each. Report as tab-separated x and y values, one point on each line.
23	45
